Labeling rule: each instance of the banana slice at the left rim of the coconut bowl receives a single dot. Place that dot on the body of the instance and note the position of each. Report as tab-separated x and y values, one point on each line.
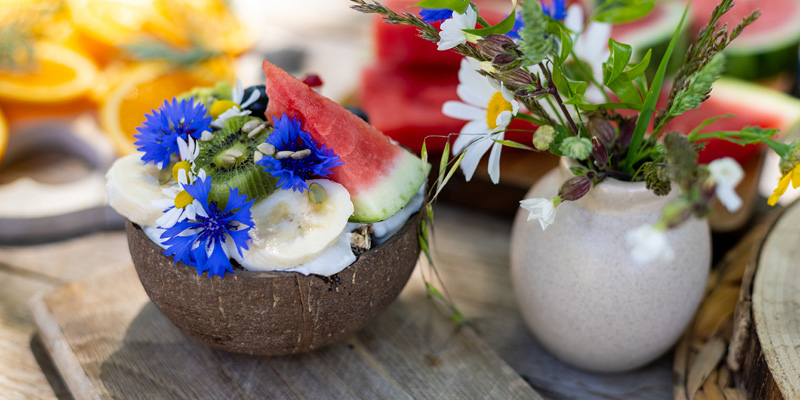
131	187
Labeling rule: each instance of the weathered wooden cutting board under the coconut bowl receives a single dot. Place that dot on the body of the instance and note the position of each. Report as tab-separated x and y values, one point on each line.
109	341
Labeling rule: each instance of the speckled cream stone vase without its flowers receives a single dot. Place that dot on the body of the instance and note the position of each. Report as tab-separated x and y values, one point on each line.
580	293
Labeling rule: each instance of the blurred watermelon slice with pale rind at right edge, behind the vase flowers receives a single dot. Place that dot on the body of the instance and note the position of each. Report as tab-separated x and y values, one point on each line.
752	105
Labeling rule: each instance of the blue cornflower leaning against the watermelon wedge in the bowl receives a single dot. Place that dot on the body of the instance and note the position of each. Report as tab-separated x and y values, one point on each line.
293	172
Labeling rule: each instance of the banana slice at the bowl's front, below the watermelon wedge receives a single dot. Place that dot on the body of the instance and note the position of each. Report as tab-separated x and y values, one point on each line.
290	230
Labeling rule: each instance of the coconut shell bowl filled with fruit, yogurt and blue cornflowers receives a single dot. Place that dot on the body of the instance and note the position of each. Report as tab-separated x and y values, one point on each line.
267	220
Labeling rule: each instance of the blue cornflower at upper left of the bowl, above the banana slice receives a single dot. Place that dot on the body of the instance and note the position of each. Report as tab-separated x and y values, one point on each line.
158	135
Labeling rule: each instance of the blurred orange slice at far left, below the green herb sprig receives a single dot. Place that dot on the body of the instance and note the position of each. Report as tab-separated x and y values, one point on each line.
59	73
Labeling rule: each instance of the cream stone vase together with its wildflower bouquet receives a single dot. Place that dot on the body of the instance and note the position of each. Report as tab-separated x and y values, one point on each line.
611	253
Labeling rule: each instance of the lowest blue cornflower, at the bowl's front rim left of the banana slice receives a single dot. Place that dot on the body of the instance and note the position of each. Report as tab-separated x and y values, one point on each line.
203	242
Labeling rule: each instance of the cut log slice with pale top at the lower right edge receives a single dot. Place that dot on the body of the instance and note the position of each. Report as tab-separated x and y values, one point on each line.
776	319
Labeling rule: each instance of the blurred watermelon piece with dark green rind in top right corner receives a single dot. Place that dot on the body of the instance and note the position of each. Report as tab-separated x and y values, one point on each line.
768	46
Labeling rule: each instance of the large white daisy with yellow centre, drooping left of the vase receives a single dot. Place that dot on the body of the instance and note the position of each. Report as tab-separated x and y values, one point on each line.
489	109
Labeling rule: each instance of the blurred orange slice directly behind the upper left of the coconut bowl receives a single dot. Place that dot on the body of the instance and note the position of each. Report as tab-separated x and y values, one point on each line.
143	89
